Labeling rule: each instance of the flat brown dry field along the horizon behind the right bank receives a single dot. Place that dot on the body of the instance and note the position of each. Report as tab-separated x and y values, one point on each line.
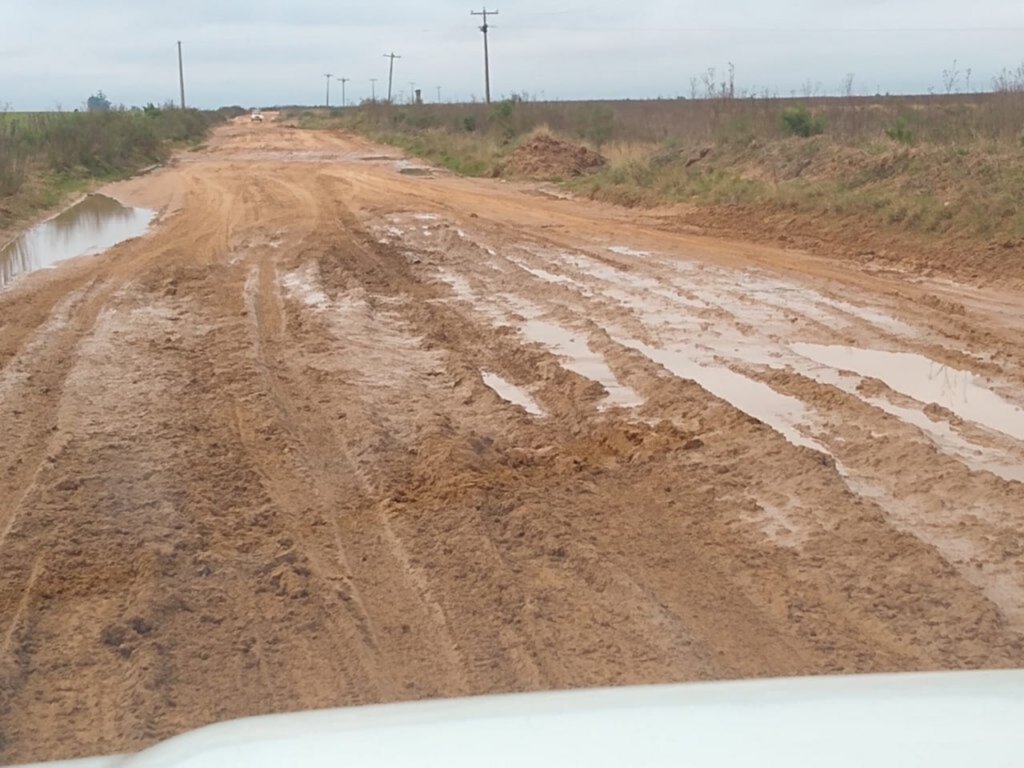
932	119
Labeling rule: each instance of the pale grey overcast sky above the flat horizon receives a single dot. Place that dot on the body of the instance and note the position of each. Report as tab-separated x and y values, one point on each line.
56	53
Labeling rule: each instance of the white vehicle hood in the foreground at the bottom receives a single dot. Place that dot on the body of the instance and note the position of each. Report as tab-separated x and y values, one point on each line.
894	721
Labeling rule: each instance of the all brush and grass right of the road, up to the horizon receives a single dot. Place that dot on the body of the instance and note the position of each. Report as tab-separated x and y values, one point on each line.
951	164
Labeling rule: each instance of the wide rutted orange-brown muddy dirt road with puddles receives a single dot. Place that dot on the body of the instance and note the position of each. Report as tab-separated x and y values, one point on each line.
342	431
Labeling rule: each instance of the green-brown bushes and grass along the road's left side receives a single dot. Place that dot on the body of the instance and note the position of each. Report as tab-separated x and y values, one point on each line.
47	156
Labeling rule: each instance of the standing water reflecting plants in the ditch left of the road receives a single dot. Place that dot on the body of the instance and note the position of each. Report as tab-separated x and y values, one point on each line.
93	226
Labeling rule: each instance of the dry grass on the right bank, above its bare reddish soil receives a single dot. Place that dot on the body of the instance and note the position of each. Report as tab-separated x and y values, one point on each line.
976	192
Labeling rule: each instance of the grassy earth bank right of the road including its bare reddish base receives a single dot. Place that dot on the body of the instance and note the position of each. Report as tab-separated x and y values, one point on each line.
931	210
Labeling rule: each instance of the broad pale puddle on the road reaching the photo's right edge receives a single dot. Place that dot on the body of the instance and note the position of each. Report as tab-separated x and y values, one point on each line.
926	381
